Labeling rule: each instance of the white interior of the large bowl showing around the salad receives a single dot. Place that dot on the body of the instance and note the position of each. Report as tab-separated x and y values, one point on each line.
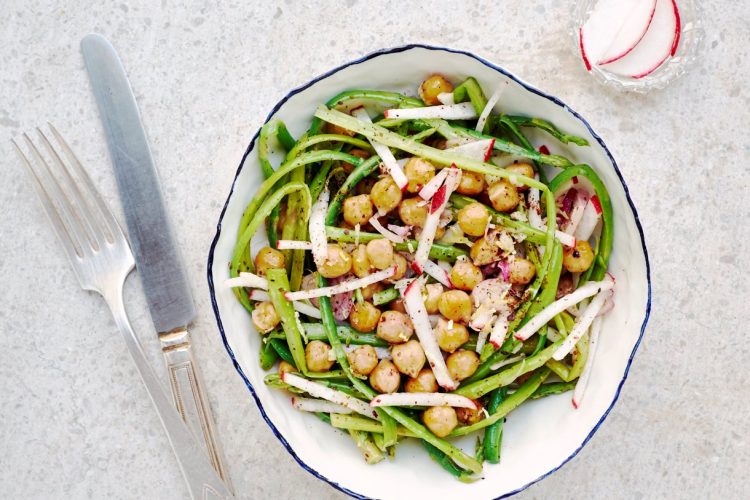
540	436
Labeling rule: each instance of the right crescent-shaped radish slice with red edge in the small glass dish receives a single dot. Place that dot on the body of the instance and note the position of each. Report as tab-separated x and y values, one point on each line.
655	47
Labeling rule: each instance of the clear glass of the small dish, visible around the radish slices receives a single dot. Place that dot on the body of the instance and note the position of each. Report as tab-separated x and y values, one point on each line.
691	41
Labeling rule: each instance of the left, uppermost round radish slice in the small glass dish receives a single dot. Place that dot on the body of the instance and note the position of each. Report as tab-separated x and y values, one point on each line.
613	28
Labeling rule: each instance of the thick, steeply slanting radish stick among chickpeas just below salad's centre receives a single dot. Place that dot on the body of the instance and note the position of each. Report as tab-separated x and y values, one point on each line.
412	293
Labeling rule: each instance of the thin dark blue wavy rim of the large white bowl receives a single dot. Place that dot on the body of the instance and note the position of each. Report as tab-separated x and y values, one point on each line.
528	87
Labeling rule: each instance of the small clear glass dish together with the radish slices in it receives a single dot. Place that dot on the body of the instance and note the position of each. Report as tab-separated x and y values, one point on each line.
613	46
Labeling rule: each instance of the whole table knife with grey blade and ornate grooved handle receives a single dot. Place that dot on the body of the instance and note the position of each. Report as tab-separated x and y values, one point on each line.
157	260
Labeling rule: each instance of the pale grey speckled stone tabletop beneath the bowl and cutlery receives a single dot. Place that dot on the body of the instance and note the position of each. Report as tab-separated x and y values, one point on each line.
75	421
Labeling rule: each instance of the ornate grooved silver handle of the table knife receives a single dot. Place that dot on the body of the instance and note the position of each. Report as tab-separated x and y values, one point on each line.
190	397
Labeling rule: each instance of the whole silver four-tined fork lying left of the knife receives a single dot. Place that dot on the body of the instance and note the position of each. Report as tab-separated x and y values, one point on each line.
101	258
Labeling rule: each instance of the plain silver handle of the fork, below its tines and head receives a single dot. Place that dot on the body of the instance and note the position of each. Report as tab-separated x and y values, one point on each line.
202	480
